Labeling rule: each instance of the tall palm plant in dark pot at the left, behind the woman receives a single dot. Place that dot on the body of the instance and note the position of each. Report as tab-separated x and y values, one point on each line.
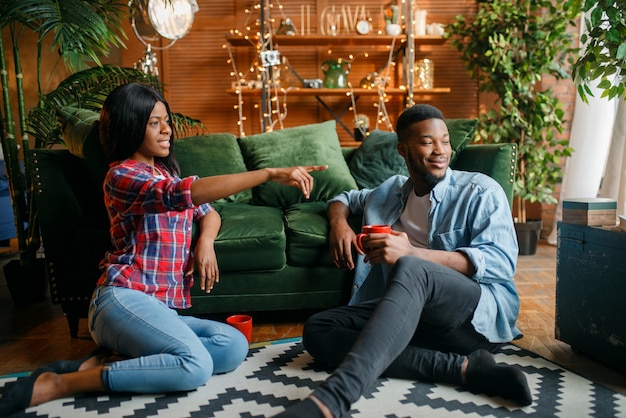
82	31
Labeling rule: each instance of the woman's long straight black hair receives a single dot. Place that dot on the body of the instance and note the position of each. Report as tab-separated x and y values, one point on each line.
123	120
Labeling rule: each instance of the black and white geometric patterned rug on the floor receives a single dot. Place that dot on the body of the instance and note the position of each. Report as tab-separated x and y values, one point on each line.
277	374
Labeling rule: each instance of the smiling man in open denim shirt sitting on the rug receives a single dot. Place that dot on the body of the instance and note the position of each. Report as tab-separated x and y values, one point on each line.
432	299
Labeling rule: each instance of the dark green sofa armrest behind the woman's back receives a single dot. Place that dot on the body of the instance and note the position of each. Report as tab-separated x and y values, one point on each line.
73	221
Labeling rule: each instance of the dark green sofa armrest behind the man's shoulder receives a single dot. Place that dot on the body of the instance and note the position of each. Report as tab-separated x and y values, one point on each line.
495	160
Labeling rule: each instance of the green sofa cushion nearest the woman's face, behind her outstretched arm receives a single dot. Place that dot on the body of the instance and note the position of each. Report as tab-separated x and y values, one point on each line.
210	155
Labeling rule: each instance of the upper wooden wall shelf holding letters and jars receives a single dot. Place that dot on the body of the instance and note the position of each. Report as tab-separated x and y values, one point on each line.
340	40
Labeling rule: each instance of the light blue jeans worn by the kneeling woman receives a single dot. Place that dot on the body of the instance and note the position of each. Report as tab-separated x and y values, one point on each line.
167	352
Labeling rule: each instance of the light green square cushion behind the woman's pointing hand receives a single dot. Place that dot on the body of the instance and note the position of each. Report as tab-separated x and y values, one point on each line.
314	144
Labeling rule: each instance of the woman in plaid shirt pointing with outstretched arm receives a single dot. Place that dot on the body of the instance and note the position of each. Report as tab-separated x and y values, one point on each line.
149	273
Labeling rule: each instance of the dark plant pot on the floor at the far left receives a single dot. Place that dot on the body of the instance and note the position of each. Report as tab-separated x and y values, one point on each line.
27	284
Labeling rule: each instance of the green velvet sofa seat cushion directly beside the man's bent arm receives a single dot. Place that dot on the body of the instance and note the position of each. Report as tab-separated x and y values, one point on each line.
307	234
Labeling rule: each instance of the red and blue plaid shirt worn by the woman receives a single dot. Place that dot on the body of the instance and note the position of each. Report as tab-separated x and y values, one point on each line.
151	220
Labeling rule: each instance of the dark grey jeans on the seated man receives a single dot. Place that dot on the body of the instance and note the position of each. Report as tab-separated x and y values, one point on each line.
420	329
